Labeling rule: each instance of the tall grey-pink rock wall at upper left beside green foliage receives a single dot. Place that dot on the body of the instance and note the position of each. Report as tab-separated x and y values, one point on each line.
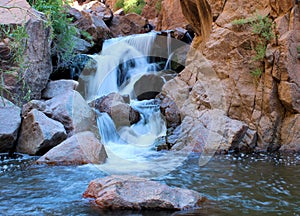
37	53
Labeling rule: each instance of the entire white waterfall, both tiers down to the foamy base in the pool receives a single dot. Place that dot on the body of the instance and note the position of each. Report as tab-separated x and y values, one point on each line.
130	149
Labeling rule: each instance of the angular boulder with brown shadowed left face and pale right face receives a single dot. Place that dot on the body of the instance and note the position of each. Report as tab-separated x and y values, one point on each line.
39	134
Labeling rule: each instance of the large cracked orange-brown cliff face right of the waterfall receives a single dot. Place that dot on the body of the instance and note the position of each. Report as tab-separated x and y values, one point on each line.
218	71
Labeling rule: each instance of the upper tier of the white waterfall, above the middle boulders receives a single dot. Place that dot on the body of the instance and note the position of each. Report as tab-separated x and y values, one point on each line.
131	52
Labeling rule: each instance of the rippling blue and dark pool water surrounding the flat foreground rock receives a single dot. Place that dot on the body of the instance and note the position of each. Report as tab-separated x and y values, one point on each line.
259	184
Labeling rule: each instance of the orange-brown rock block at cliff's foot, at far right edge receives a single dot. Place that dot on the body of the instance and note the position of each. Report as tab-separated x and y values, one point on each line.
290	134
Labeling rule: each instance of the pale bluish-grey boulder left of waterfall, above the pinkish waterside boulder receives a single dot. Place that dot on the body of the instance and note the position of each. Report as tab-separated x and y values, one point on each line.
72	111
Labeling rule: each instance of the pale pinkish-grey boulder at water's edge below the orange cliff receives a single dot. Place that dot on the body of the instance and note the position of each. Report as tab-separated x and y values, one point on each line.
214	132
